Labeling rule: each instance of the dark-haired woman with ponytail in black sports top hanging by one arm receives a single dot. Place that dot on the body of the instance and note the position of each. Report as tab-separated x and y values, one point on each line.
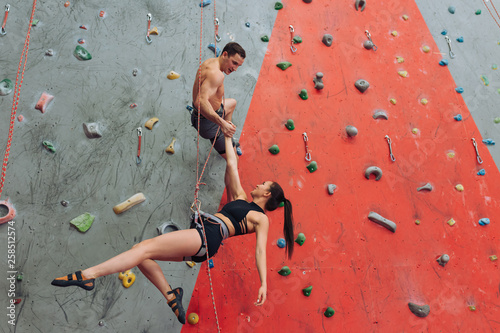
238	217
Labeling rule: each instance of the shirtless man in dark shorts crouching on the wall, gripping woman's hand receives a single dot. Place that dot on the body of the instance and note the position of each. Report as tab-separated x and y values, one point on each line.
216	111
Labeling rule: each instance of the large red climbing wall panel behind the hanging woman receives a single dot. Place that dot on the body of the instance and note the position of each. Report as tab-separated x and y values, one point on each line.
365	272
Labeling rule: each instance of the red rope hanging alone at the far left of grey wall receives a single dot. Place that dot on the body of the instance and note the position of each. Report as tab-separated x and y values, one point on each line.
15	101
